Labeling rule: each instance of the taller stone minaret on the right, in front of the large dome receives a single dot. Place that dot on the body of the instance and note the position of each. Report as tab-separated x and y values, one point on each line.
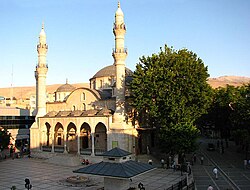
119	54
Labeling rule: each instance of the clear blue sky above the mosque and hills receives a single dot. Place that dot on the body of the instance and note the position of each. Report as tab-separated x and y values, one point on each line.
80	38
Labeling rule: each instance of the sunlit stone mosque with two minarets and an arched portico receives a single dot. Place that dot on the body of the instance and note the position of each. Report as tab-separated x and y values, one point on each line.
86	121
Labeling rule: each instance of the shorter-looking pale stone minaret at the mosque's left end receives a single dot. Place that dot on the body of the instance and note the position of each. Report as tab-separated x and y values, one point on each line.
40	74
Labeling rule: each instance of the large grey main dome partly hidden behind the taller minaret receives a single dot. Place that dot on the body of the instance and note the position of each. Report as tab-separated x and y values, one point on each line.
109	71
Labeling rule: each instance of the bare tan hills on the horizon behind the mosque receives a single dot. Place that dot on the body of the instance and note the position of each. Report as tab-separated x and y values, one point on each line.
27	91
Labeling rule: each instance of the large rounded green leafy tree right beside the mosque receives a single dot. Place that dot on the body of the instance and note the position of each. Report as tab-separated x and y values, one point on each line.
170	92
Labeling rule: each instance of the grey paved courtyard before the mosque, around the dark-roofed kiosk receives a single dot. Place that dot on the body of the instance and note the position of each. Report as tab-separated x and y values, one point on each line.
44	175
